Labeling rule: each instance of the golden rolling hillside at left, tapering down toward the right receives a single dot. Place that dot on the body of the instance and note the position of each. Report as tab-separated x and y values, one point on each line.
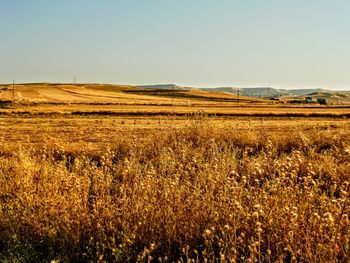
107	93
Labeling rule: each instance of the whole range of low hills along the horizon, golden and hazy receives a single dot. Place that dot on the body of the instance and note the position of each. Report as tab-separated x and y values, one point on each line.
113	92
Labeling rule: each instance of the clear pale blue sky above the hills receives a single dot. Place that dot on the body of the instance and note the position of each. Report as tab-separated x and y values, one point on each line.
279	43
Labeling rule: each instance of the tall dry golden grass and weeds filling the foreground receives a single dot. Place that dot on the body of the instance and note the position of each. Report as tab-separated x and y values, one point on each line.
204	192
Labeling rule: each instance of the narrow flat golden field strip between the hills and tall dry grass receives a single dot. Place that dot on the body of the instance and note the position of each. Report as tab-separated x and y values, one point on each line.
134	108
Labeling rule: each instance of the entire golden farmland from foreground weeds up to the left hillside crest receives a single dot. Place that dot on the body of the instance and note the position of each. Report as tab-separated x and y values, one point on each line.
113	173
